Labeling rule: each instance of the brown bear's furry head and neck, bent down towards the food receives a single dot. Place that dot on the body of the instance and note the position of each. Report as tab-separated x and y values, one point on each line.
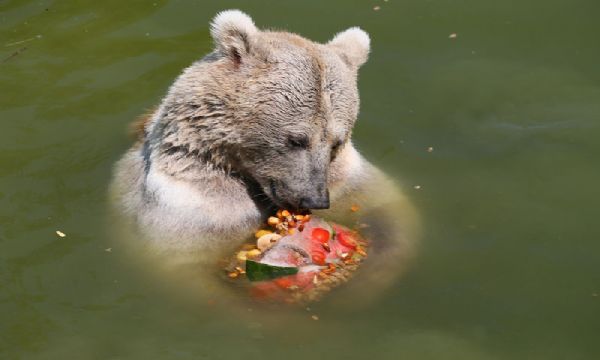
272	106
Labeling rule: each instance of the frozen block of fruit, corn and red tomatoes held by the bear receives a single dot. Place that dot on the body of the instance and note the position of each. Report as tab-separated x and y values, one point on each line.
299	259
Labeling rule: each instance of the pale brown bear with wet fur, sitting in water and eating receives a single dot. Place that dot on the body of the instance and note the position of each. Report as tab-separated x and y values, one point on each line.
213	159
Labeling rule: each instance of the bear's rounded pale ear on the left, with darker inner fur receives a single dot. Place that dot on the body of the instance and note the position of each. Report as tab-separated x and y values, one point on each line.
233	33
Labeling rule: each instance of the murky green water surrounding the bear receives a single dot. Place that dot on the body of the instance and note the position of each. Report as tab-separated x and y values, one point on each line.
509	261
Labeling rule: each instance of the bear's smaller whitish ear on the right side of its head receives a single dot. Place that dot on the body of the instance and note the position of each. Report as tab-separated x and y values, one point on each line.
352	45
